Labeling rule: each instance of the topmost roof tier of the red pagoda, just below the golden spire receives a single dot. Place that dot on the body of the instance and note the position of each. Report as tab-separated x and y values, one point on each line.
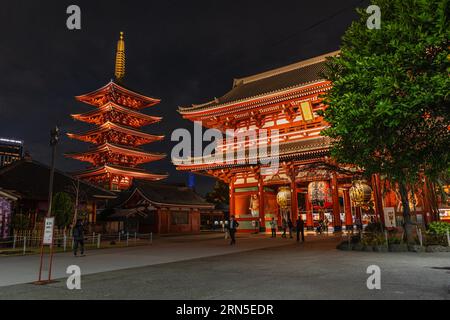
113	92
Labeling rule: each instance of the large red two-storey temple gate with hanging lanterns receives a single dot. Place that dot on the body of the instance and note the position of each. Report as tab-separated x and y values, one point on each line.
308	182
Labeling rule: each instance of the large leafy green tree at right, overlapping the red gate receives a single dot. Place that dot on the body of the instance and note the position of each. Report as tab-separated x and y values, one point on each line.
389	108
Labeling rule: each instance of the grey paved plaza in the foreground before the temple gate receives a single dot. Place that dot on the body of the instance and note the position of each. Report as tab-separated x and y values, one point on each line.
206	267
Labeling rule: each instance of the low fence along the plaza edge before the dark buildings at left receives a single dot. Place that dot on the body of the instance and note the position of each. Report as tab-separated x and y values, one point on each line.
29	243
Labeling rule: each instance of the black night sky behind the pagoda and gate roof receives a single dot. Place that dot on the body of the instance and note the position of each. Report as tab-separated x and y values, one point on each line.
182	52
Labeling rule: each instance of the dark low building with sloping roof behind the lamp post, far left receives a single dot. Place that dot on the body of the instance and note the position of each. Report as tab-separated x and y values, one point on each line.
24	190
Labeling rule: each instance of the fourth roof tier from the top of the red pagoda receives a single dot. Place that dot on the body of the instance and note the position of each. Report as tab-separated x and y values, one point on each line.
109	151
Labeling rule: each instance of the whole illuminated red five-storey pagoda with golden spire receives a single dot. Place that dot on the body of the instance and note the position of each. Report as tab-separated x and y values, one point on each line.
115	156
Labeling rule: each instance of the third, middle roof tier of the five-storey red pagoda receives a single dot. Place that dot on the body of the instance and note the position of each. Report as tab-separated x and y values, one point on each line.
115	133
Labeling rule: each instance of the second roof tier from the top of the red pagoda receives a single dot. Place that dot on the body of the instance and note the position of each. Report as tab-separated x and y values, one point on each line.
120	114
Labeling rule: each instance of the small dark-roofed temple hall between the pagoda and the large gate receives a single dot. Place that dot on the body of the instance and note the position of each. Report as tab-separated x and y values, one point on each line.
159	208
